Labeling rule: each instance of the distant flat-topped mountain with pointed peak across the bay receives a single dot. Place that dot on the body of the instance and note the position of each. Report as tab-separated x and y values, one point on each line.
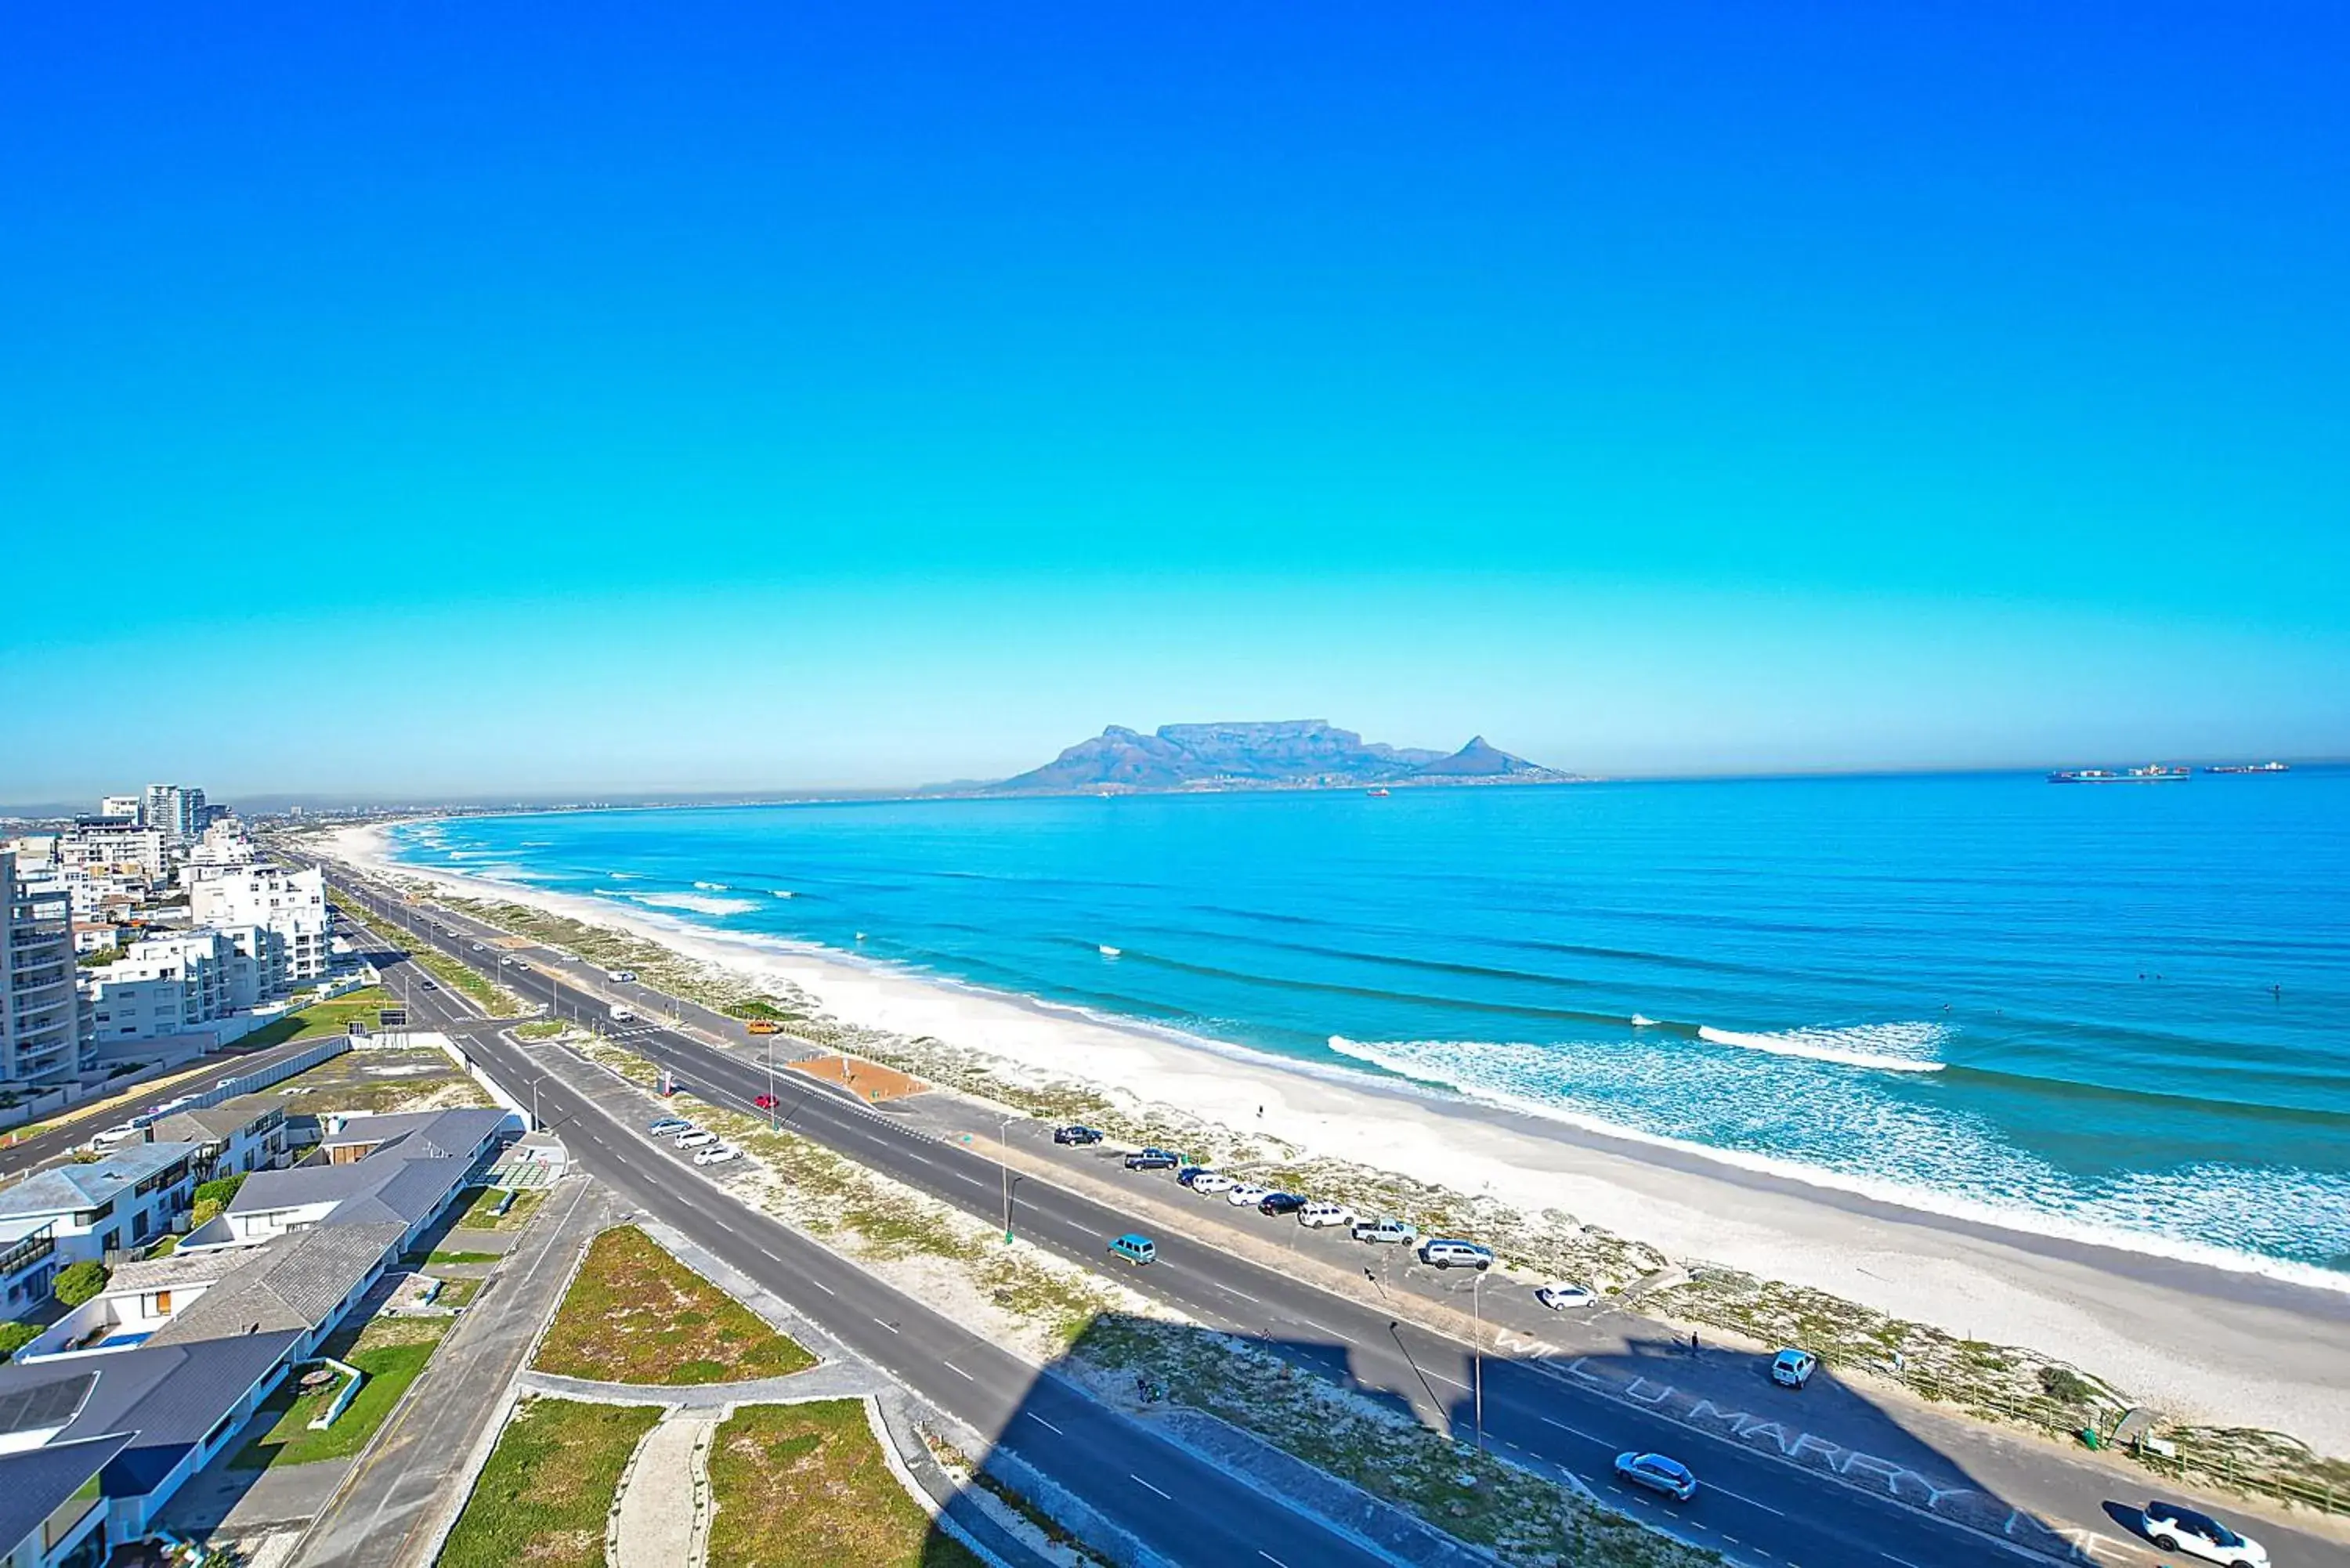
1280	756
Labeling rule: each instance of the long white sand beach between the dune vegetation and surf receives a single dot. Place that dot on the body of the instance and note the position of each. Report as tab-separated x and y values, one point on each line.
2231	1346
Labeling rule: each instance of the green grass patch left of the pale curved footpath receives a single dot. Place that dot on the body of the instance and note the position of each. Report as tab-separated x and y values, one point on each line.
549	1487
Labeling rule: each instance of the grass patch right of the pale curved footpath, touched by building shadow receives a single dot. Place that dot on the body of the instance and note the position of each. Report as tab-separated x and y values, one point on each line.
807	1487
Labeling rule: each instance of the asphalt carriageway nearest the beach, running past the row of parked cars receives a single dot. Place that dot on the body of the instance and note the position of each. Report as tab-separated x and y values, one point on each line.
1752	1501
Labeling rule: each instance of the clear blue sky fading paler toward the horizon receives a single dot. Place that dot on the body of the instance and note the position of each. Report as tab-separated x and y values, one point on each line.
697	398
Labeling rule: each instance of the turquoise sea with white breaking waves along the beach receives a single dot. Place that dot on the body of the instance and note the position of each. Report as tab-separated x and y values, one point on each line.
2114	1010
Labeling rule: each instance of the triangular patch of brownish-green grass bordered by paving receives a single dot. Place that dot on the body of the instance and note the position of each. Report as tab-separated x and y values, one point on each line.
638	1315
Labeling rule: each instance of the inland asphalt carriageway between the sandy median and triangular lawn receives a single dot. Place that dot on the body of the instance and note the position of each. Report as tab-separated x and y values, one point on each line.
1174	1503
